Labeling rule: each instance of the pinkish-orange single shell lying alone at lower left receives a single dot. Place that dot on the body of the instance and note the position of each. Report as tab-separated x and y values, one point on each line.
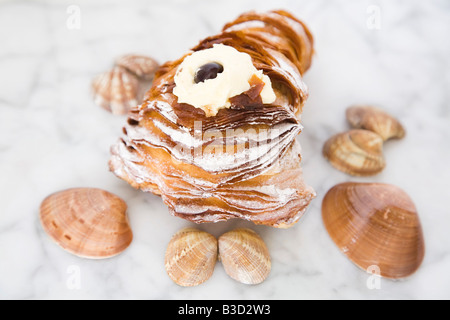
90	223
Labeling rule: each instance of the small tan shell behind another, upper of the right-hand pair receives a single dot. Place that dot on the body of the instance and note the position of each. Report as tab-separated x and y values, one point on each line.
376	120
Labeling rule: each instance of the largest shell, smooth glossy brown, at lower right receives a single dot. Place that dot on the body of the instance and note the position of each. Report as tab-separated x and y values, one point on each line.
375	225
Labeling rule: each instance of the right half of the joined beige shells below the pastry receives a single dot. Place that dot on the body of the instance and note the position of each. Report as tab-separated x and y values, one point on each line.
244	256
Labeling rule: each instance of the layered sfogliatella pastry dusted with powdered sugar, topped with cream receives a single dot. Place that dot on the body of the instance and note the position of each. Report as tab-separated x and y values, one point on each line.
216	134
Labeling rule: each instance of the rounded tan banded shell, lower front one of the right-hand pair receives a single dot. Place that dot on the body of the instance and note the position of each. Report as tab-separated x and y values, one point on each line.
356	152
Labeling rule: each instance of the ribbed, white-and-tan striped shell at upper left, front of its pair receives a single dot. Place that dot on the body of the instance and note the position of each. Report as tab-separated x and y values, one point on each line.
116	91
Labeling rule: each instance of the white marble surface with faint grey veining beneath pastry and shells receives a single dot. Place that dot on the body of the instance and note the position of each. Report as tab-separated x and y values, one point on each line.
53	137
